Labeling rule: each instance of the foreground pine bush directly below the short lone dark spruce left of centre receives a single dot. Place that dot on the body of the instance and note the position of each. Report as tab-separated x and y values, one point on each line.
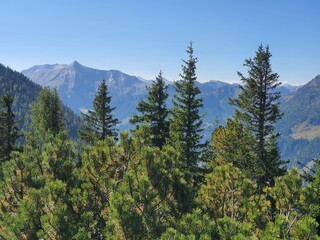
97	178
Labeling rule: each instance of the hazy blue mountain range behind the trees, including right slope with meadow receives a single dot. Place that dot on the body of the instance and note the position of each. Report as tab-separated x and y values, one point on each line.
77	85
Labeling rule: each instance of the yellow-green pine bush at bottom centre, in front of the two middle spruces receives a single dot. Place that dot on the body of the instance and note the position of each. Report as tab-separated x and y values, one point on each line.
143	205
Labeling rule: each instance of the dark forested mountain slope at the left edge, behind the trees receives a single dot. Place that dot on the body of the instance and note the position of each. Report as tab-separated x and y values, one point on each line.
24	92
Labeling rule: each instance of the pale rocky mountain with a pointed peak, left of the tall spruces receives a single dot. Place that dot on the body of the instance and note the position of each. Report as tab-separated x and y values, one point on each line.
77	85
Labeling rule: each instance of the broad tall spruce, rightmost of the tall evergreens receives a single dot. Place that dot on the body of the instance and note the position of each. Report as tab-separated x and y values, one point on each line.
258	108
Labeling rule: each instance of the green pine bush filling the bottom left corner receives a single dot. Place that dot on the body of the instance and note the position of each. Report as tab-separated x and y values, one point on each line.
35	191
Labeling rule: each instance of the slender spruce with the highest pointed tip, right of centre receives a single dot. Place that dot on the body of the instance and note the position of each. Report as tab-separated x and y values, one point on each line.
186	124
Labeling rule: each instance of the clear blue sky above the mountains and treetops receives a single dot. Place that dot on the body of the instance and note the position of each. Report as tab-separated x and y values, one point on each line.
142	37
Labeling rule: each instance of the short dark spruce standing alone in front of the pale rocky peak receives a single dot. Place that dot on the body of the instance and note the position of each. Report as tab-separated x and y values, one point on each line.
98	124
